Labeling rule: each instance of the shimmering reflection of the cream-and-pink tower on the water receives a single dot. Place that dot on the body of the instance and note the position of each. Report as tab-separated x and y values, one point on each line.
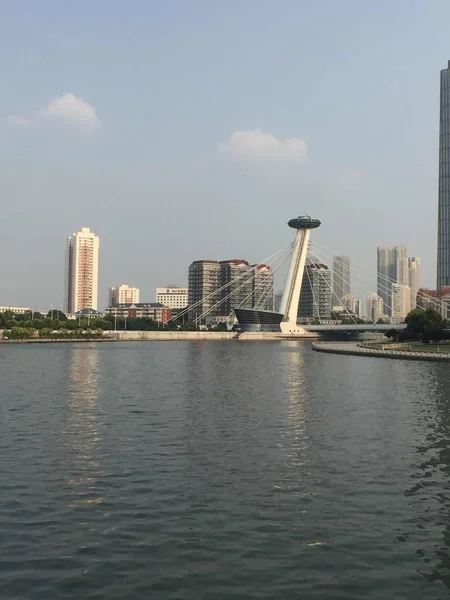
84	421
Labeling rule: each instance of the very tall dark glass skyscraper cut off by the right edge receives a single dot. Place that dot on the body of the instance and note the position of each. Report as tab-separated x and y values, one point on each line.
443	249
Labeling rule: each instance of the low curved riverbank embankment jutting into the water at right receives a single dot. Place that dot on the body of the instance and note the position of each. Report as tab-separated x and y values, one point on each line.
354	349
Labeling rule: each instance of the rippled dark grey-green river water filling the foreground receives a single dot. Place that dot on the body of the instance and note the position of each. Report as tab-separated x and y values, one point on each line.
233	470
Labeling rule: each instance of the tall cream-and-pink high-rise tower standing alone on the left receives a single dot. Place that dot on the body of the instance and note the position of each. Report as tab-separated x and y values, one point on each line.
81	277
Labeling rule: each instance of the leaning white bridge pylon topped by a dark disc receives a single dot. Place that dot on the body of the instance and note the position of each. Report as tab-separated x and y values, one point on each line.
292	289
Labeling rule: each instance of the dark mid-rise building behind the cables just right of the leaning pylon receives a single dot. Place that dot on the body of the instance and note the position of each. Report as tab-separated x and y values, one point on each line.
315	295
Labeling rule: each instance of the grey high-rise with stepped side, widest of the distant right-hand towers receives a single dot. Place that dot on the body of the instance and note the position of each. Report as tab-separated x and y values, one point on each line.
392	267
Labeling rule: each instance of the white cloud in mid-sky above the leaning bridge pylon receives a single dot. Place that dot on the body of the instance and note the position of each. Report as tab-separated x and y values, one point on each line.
260	145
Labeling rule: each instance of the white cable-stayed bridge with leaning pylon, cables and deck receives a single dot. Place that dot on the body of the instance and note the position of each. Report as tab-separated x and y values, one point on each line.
301	254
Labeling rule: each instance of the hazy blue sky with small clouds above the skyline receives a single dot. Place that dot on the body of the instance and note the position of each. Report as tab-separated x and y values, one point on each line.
182	130
